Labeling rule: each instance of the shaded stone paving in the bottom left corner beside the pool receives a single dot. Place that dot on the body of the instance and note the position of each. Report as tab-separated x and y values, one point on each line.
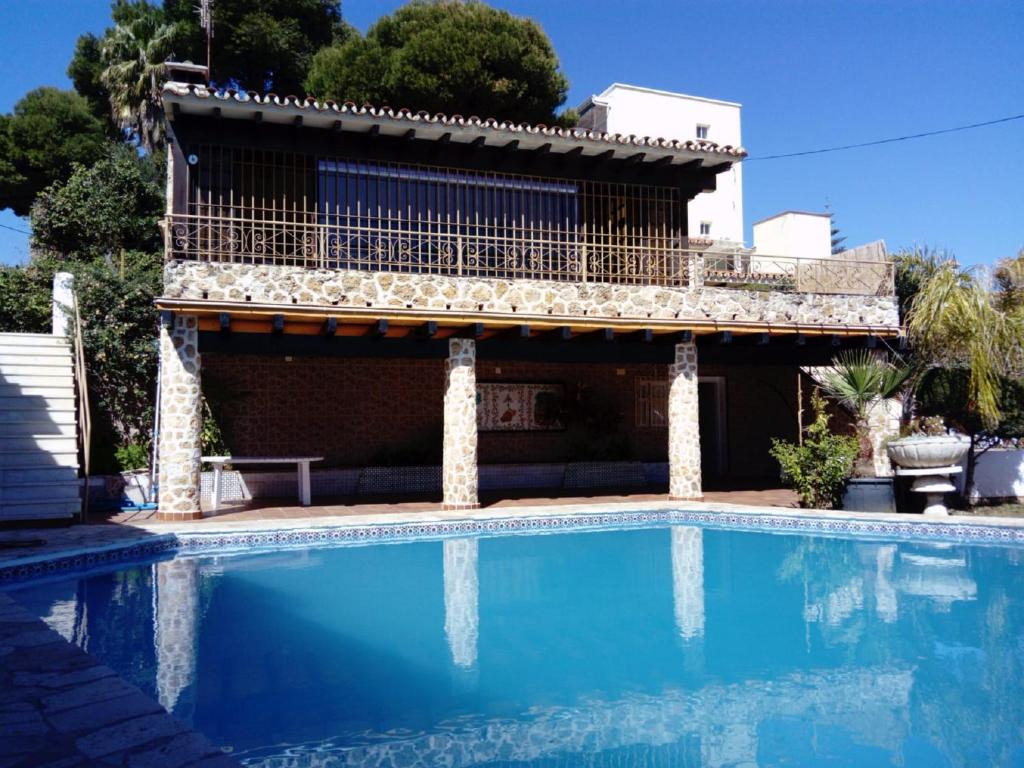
62	708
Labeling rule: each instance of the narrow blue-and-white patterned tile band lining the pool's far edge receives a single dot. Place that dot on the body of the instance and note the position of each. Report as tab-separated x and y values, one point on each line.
194	542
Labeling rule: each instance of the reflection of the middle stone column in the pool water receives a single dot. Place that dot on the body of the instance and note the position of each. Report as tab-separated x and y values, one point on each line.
461	601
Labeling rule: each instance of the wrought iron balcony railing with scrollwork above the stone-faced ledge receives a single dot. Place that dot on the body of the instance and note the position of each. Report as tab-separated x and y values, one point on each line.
516	253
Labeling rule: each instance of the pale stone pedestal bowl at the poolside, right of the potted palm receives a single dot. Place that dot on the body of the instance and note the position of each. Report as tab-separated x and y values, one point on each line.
931	461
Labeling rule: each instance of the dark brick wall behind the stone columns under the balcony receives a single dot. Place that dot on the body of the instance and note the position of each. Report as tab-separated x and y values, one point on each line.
358	412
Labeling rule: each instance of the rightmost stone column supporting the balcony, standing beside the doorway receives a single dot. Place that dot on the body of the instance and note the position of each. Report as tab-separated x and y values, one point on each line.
685	432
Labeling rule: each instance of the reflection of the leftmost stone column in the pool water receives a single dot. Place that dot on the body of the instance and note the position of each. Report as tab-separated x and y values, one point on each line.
177	586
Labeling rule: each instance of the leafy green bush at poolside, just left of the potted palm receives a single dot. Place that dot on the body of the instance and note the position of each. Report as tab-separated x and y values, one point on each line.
820	468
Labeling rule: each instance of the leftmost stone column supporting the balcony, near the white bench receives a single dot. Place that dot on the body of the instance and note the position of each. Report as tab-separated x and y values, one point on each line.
181	420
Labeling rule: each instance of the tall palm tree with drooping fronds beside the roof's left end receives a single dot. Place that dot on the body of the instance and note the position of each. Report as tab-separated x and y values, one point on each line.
134	53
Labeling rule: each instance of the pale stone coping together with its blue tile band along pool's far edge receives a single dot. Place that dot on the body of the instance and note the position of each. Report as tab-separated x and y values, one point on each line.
158	538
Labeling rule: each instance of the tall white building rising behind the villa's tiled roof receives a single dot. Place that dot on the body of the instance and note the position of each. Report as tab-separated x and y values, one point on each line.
647	112
